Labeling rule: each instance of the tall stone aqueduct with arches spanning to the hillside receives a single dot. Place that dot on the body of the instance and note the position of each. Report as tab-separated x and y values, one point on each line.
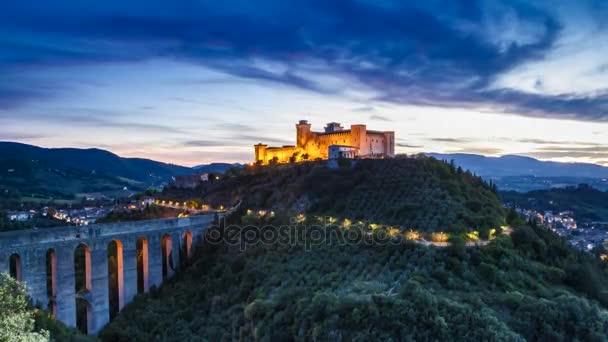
144	253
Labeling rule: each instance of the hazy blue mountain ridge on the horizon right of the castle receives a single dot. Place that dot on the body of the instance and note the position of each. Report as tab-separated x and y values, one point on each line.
512	165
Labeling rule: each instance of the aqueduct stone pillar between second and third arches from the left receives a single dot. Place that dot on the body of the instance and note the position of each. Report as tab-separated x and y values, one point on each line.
66	287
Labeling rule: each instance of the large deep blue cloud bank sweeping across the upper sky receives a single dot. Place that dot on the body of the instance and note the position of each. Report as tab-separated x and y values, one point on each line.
438	53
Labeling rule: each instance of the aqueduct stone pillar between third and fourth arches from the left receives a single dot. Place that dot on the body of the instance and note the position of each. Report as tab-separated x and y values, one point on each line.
100	303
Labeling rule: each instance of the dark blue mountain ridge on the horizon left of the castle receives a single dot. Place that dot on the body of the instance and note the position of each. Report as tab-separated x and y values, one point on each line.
89	160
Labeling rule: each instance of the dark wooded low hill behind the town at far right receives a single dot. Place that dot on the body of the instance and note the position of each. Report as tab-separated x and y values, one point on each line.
587	203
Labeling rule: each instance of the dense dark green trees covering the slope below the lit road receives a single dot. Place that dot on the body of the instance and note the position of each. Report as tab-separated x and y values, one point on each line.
526	286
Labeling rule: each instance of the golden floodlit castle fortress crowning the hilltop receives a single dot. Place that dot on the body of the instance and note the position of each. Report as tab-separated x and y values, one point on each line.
334	142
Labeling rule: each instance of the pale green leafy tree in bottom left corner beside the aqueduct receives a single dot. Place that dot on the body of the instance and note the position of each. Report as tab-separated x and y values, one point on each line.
16	318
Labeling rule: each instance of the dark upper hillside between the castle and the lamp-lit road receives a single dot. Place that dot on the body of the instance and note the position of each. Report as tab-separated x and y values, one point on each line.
421	193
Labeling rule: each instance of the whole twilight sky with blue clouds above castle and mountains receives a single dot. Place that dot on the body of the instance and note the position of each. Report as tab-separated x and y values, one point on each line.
196	81
